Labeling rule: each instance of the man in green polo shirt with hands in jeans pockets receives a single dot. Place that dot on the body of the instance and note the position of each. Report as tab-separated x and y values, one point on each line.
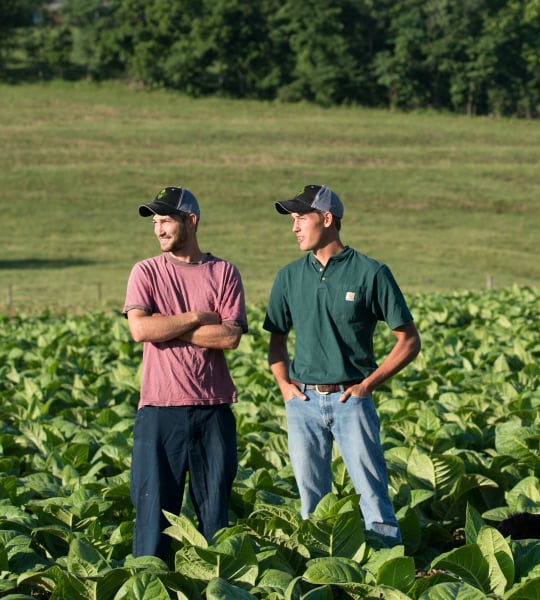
333	298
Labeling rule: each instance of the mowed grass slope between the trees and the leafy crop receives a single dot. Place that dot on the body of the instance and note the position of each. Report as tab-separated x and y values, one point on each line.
446	201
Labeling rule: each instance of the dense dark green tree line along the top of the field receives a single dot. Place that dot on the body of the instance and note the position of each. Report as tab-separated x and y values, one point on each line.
465	56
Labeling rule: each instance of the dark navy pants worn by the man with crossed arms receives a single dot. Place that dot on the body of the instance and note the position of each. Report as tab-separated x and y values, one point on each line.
169	442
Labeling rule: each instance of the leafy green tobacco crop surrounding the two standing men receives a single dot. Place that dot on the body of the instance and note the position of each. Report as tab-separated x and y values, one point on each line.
460	428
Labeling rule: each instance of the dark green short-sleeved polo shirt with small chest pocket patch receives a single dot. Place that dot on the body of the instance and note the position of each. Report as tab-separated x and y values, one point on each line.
333	311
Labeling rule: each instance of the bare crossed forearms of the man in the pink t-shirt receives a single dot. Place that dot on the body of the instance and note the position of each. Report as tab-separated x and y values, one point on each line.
201	328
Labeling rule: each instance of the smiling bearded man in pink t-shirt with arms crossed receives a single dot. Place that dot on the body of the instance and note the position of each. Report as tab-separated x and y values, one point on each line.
187	307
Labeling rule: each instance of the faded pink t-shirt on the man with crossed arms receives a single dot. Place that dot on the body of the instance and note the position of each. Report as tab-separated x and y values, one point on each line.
176	373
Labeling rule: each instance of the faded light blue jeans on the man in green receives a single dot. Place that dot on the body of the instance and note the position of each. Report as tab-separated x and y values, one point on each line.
313	425
